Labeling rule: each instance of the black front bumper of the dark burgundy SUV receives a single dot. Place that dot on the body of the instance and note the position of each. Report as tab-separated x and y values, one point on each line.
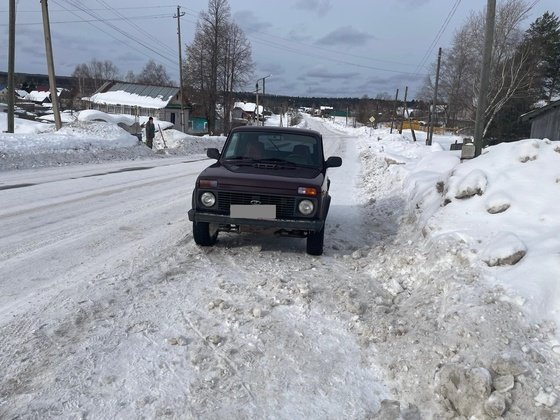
281	224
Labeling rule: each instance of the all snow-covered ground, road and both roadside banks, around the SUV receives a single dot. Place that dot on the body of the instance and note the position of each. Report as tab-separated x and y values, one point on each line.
437	295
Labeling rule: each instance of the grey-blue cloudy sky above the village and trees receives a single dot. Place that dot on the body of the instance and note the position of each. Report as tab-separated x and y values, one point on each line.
308	47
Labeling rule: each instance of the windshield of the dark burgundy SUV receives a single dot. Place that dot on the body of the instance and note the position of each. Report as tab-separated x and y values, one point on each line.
297	149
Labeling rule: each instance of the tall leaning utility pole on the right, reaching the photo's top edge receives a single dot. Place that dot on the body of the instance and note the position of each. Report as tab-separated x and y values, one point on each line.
484	76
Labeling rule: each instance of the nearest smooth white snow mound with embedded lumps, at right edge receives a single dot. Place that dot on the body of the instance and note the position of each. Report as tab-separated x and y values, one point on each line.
504	206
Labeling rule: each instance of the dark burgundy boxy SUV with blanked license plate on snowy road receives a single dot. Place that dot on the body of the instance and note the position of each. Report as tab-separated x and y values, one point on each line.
266	179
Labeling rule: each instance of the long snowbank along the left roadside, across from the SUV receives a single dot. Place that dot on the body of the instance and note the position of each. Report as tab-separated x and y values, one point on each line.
93	136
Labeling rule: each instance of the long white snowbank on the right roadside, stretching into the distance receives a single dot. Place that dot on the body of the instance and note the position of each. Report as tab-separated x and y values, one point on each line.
502	207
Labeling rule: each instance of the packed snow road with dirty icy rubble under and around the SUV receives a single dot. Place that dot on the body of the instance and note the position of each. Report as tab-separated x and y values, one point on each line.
109	310
